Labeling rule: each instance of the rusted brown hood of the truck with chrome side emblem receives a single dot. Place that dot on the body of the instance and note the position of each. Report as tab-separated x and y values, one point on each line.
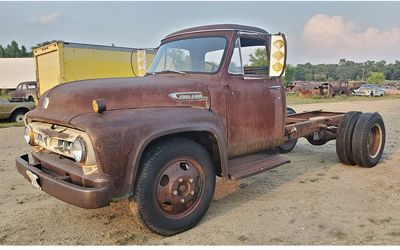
66	101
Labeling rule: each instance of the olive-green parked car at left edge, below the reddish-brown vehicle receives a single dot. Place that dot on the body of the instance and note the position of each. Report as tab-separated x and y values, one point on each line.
14	111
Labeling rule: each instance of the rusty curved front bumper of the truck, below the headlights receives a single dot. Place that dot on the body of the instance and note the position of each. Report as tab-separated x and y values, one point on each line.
62	179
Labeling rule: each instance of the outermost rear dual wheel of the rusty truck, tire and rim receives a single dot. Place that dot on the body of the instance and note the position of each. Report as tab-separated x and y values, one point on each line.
368	140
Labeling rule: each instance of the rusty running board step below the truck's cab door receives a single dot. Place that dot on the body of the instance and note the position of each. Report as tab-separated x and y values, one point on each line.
246	166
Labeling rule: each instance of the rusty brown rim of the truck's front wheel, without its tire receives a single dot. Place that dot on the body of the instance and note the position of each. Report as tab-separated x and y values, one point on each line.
179	187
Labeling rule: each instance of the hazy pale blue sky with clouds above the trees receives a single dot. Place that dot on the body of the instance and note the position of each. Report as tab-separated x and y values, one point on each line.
317	32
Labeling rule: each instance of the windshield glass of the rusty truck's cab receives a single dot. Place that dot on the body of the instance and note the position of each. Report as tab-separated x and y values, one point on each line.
202	55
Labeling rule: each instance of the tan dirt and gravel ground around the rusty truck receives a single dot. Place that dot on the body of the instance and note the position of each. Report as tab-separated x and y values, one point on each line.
312	200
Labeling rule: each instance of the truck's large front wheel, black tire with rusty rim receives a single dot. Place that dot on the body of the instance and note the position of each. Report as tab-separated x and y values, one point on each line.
175	187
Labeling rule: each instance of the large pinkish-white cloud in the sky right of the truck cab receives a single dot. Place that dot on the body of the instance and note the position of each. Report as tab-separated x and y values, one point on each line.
334	36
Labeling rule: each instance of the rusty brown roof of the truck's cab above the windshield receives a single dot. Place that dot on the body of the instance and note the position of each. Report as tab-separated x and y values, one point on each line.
205	28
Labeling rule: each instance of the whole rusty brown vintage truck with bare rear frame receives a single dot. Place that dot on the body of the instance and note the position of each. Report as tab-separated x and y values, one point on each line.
201	111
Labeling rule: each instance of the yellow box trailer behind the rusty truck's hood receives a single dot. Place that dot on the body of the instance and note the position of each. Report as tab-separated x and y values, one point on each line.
62	62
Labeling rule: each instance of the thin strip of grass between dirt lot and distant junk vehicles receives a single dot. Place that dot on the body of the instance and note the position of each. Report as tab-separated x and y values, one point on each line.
296	99
